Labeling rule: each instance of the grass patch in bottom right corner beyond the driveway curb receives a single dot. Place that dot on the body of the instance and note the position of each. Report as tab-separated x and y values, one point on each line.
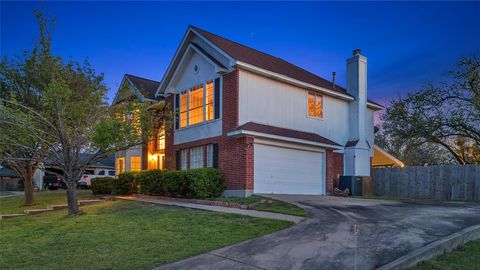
466	257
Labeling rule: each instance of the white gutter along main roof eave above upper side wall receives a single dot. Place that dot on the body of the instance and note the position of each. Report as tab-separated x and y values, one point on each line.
289	80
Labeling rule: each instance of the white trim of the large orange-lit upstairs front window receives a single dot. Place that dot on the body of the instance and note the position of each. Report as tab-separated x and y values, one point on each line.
187	91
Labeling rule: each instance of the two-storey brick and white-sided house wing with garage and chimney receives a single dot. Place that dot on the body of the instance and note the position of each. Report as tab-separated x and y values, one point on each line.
268	125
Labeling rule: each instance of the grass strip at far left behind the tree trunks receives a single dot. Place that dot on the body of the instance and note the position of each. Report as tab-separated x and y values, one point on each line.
15	204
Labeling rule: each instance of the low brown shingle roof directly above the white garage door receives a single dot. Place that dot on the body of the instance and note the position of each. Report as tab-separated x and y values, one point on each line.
285	132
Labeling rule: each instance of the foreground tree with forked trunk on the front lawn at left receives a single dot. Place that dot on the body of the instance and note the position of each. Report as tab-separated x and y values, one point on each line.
73	119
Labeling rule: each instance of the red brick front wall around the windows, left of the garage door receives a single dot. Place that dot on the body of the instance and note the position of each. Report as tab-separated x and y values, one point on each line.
235	156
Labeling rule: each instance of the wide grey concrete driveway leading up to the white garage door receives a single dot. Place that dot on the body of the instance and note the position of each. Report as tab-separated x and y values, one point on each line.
387	230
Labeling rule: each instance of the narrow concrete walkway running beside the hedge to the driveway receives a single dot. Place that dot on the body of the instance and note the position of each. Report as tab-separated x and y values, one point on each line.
252	213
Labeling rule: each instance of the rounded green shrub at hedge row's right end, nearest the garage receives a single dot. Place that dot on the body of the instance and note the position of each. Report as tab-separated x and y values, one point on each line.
205	183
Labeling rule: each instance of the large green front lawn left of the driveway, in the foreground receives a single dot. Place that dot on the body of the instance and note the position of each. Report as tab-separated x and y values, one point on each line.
121	235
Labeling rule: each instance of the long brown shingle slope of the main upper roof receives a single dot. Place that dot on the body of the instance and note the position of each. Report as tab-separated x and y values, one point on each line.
268	62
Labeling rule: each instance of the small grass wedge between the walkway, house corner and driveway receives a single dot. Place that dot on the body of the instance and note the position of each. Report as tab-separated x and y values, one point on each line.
275	205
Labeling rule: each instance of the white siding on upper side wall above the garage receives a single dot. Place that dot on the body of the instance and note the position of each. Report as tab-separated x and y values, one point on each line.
266	101
